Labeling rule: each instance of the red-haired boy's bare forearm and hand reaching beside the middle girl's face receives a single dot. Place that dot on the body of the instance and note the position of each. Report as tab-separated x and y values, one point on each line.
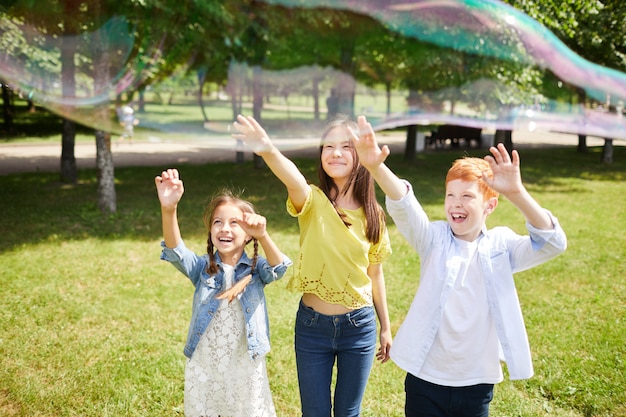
373	158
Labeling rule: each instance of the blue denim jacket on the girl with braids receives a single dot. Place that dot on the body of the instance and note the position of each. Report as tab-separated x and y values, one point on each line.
209	286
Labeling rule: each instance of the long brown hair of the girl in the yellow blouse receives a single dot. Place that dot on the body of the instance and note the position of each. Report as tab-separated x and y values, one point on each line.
363	188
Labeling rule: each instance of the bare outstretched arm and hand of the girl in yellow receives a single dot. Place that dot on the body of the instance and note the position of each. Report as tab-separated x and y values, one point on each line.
251	132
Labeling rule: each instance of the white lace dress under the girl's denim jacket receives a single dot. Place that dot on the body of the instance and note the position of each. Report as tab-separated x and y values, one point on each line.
221	380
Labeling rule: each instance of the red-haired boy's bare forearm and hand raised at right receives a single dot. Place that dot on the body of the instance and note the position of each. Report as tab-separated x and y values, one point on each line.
507	180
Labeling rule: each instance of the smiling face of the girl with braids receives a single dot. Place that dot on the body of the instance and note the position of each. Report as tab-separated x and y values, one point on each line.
228	238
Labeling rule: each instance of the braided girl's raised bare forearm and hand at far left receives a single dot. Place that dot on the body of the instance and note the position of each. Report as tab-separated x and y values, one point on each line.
170	190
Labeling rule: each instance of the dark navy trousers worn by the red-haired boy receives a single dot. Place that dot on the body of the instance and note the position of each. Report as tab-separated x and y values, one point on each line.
424	399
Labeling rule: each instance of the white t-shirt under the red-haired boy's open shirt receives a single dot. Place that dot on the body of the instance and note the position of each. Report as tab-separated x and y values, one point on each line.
466	348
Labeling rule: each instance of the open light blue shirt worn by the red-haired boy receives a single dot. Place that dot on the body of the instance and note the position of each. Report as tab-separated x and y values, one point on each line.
501	253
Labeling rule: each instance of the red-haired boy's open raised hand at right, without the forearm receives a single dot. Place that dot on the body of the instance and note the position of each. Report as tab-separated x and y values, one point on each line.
507	177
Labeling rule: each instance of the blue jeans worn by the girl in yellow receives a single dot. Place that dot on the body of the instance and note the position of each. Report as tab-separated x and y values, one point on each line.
320	339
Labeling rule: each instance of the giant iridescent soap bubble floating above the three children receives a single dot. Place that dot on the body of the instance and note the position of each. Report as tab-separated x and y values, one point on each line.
188	69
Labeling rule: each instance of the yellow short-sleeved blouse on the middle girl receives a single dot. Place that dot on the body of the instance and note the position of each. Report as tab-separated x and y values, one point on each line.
333	258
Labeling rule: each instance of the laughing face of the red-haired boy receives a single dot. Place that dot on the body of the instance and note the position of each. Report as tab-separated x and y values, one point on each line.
466	208
